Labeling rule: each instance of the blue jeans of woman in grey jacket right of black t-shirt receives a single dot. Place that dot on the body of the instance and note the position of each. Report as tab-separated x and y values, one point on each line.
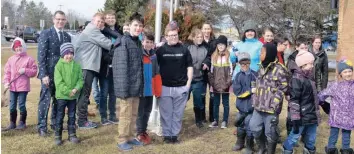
199	91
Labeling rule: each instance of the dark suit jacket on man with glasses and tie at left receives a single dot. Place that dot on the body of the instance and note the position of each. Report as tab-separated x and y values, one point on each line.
49	52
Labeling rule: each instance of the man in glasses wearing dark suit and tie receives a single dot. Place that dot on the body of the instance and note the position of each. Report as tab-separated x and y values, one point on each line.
48	56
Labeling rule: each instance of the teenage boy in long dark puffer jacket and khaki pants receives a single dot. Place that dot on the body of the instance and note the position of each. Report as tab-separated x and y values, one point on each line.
128	81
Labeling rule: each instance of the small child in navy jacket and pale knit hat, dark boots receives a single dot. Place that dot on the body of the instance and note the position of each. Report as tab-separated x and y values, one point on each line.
243	87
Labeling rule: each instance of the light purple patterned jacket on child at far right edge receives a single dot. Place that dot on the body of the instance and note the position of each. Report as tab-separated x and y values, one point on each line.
342	105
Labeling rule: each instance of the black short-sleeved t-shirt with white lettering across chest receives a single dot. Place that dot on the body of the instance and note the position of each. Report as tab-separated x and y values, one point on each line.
174	61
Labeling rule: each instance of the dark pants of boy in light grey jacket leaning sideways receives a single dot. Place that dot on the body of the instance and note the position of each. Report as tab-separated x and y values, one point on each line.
84	98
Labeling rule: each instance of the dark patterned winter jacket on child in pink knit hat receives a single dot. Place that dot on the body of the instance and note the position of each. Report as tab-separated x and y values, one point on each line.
303	101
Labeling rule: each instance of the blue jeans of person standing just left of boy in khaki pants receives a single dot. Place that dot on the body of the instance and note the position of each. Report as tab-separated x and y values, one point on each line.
106	89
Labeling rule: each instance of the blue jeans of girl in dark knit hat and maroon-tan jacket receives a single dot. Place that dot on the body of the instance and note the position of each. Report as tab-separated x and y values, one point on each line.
225	103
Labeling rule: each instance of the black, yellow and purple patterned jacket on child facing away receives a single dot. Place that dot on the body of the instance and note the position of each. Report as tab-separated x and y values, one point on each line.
272	84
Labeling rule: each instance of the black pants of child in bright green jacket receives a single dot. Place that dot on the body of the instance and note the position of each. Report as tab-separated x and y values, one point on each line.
71	105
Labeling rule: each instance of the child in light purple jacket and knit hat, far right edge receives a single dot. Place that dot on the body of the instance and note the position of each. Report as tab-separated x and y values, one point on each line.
341	108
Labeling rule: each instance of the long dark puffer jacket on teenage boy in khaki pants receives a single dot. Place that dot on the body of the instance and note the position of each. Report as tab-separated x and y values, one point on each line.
127	66
